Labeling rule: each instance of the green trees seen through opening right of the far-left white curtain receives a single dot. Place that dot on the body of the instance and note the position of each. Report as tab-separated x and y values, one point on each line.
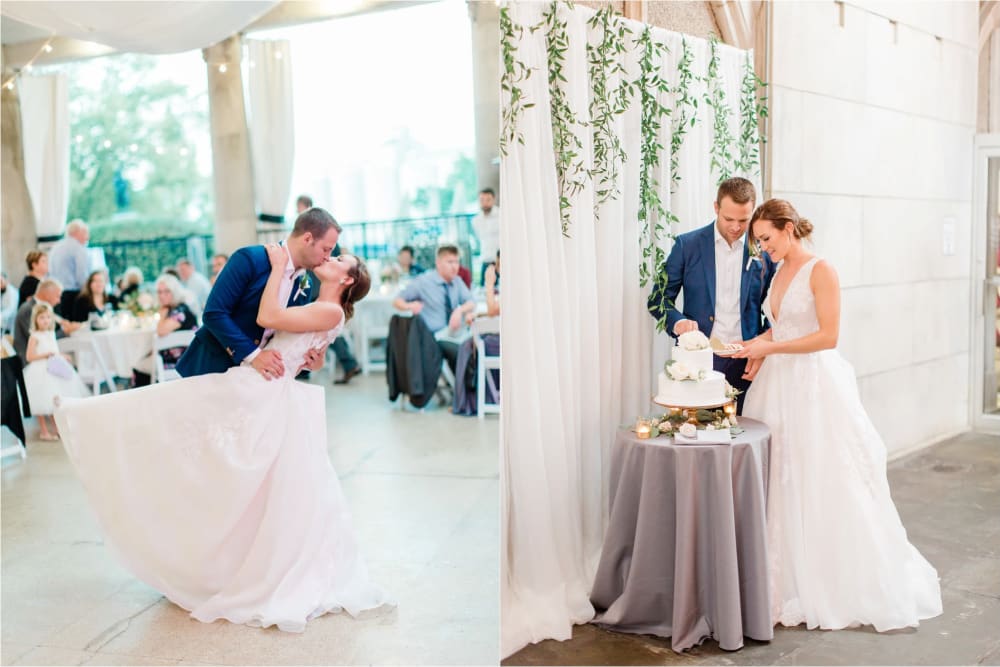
133	133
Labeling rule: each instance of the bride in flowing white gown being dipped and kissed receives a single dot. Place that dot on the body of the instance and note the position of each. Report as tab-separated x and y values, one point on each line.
217	490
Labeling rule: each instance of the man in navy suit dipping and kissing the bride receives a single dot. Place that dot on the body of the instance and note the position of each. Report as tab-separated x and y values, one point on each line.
230	335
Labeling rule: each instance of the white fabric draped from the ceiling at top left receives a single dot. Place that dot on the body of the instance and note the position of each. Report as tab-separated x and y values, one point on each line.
141	27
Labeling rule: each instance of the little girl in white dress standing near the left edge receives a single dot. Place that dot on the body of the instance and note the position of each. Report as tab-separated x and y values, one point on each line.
48	374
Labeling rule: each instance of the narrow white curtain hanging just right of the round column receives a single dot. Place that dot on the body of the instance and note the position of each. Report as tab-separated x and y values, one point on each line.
272	122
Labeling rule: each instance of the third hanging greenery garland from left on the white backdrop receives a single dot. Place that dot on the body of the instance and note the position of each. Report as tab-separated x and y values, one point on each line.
607	101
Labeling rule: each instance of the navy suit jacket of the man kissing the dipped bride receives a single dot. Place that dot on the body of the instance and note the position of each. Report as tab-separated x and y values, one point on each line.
229	330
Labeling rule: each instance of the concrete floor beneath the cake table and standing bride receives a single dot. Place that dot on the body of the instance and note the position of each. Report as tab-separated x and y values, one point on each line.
949	499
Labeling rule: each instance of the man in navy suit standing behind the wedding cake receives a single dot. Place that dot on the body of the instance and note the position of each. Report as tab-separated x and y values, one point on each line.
724	287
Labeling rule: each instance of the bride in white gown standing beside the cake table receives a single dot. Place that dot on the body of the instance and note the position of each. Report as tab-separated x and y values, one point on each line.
838	553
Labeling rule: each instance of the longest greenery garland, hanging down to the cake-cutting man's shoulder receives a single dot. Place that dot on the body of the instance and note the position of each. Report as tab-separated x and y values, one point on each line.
652	215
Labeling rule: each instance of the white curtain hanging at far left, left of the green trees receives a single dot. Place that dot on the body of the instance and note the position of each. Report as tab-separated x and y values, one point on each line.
45	138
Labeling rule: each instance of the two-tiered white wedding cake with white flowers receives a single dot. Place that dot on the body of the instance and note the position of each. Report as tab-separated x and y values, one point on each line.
688	380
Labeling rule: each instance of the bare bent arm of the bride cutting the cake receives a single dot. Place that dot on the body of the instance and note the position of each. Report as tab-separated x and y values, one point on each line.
826	291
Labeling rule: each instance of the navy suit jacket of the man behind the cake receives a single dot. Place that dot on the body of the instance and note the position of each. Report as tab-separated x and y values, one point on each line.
691	267
